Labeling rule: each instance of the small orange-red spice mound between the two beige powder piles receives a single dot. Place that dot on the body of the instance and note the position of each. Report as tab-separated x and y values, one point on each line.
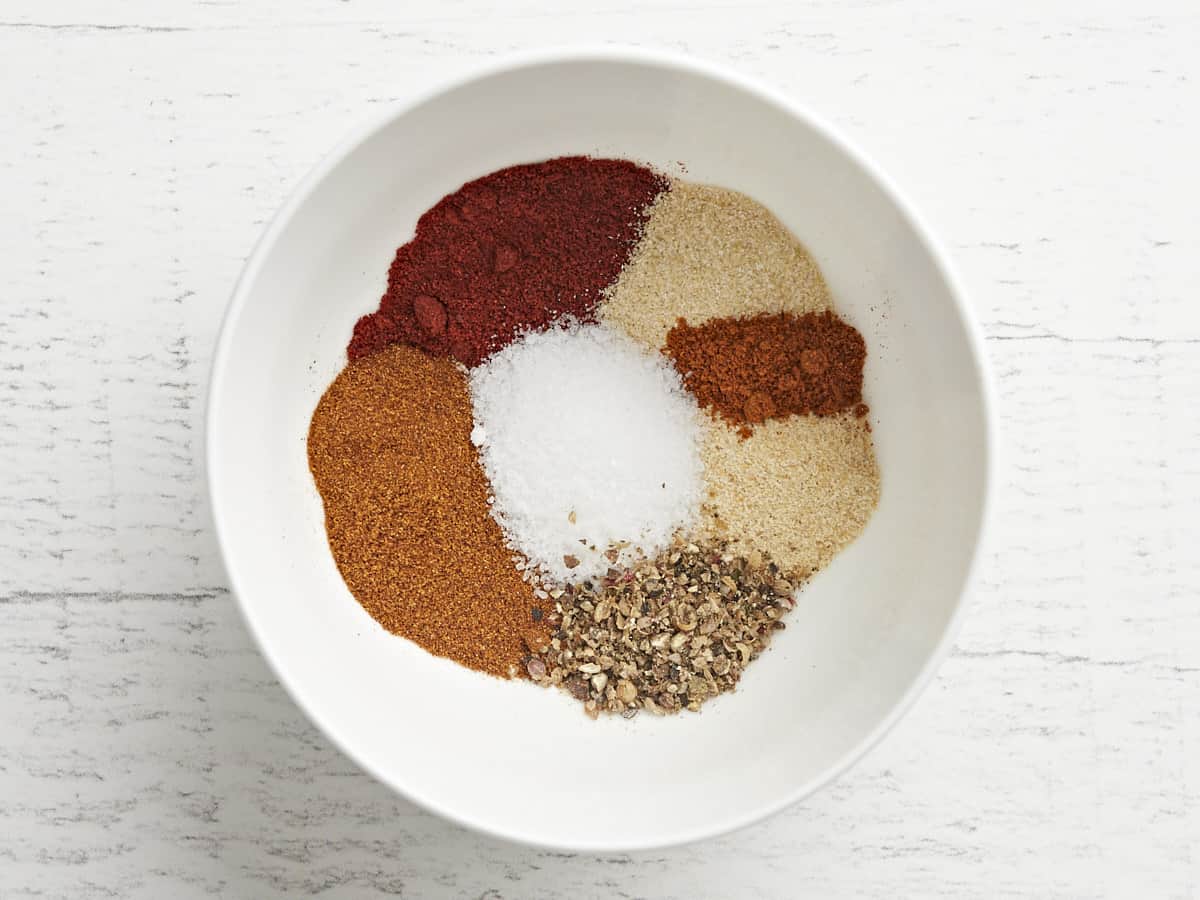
771	367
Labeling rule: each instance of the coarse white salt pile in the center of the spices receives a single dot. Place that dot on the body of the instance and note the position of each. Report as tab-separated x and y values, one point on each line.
589	441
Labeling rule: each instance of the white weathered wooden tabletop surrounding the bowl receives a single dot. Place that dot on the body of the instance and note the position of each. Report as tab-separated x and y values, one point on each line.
147	751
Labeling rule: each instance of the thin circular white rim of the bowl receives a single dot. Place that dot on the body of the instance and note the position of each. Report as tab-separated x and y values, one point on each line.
668	61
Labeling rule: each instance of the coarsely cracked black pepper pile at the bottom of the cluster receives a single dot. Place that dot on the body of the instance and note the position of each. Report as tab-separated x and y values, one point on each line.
667	634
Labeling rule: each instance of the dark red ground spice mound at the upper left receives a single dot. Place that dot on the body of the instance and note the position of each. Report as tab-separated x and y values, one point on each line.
511	253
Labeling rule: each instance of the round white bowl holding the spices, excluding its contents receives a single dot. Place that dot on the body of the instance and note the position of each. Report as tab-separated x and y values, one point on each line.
512	759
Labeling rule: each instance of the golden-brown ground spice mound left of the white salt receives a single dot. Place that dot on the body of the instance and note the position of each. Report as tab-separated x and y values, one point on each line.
407	515
